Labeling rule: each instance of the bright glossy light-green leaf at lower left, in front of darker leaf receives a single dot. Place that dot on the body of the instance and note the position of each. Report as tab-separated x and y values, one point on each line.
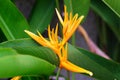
24	65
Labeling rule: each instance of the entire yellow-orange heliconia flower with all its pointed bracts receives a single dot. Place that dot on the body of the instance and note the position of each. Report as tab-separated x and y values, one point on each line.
69	24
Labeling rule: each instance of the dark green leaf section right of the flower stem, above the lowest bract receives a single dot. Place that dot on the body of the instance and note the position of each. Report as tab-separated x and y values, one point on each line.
102	68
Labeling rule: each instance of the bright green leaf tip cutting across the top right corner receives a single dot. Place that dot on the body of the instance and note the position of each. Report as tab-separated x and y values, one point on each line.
113	5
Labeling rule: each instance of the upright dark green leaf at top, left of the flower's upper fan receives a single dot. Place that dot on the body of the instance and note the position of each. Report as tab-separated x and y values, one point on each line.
41	15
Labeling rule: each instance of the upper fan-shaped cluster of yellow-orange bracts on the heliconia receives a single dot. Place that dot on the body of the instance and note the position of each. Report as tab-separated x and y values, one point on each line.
70	23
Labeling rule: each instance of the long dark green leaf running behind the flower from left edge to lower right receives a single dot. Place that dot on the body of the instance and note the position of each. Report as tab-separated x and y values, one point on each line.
102	69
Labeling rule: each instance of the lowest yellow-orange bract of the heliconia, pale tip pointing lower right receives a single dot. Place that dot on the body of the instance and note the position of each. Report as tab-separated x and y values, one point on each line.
71	67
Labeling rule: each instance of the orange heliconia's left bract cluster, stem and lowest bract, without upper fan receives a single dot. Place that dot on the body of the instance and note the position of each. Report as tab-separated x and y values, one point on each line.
55	45
